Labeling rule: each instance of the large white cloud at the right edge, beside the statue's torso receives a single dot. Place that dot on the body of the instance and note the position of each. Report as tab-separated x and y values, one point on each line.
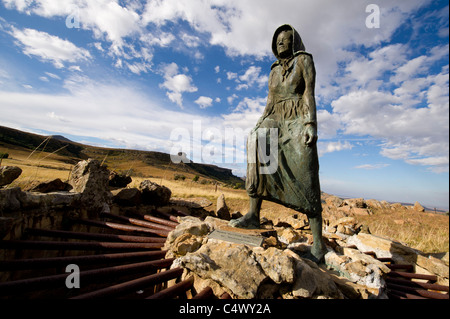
416	135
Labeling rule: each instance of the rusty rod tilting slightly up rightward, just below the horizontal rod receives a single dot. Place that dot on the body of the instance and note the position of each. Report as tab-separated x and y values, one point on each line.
40	263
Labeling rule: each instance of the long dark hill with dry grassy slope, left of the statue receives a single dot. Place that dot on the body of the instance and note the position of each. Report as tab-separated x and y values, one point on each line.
47	151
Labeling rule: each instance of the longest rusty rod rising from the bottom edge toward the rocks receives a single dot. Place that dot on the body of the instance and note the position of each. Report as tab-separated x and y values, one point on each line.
132	285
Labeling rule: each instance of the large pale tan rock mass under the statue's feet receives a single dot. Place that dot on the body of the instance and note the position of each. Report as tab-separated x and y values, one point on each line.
270	271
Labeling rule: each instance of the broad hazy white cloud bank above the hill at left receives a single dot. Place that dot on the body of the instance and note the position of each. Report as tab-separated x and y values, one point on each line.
99	110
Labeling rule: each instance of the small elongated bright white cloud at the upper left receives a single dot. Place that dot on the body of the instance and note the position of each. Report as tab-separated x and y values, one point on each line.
48	47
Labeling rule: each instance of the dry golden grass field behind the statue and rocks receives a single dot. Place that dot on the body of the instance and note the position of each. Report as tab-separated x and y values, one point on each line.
427	232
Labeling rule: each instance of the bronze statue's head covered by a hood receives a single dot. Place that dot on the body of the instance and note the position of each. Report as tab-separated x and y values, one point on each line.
286	41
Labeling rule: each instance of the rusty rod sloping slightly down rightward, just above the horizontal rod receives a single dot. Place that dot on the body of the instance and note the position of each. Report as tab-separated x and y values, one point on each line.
92	236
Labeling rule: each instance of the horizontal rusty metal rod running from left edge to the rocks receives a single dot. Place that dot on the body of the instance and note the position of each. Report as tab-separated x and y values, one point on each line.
32	244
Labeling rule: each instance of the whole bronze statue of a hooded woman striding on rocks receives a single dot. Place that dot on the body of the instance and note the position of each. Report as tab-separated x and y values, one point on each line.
291	113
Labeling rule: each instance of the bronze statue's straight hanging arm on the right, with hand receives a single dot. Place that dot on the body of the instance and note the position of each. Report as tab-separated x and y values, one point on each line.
309	101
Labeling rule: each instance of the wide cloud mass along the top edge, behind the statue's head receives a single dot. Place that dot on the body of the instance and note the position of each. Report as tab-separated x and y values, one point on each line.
242	28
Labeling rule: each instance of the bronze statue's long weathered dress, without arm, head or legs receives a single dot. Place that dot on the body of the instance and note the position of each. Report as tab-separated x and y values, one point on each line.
295	183
